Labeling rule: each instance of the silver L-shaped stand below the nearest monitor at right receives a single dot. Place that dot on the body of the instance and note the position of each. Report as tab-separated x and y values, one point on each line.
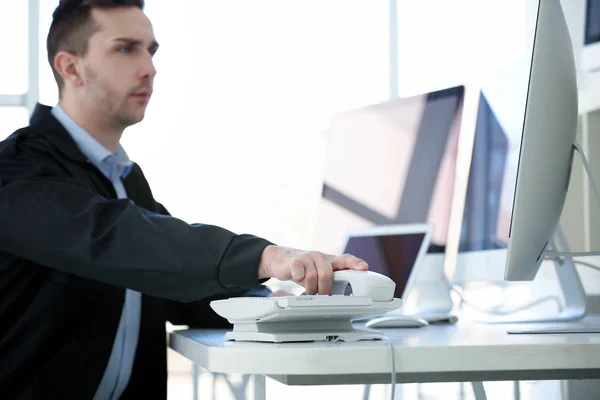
574	296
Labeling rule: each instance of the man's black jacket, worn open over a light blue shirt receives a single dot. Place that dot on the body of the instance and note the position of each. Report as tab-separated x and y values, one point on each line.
69	248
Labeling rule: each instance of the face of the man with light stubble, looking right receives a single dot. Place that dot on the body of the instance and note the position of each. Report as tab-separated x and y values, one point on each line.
117	70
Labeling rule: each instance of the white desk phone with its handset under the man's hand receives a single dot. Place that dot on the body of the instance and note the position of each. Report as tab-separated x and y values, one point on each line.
311	317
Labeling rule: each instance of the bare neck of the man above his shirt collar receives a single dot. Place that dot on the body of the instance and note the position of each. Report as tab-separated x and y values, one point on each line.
94	124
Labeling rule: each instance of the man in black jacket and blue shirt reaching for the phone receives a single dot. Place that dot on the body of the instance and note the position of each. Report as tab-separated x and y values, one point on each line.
91	266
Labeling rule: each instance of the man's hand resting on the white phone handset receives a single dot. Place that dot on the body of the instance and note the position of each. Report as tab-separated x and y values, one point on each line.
311	269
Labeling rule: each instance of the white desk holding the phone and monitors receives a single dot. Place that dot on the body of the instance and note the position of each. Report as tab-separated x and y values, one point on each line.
465	352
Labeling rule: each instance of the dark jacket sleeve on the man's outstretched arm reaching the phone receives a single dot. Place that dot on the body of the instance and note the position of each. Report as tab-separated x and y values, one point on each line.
59	223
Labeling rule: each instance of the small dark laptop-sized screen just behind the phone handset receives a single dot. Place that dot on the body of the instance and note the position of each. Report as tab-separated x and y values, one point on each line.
391	255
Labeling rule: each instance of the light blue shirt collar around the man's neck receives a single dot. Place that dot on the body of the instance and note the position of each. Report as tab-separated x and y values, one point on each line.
112	165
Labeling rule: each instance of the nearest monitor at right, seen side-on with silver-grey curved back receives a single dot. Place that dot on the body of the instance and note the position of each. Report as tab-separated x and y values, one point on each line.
549	131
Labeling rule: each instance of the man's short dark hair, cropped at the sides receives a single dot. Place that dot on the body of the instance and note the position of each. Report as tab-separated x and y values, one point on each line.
72	26
